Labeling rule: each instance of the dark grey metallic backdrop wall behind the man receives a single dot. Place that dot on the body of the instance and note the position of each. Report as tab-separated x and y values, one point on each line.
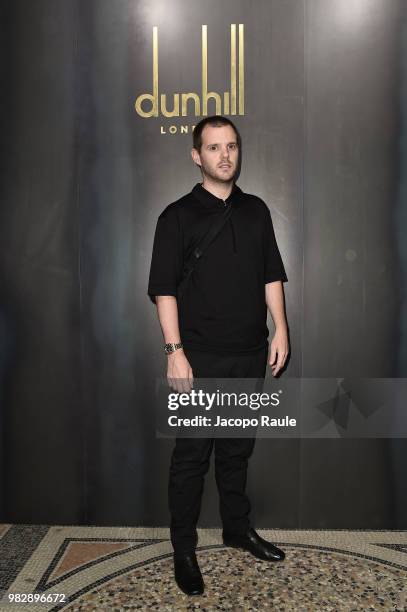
84	178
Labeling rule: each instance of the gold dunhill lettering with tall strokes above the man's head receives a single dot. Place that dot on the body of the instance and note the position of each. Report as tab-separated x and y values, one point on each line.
233	100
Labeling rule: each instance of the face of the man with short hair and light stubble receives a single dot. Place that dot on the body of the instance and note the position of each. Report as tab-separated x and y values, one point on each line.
219	153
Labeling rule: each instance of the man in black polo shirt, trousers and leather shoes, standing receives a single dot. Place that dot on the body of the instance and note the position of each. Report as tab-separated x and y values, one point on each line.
217	329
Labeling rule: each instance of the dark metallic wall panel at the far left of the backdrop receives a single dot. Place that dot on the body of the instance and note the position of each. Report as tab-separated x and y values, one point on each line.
42	417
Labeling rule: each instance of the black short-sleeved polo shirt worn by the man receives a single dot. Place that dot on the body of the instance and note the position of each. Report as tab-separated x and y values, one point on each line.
223	308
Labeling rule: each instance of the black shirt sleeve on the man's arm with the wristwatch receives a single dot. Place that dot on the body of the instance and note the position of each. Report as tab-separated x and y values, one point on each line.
166	260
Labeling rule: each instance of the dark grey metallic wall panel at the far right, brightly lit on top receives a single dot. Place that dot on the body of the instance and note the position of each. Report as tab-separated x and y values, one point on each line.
352	289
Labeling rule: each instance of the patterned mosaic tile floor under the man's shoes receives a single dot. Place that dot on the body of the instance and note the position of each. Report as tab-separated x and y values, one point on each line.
126	568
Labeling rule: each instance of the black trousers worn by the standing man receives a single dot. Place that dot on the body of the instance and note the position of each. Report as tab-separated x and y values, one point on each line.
191	456
